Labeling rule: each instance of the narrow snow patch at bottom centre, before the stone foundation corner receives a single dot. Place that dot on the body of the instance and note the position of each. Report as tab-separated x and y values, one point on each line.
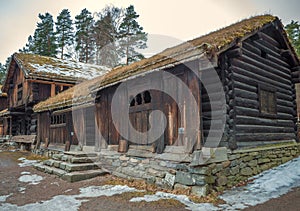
182	198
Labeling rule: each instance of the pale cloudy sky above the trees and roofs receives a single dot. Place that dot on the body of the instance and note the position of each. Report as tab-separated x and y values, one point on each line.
172	20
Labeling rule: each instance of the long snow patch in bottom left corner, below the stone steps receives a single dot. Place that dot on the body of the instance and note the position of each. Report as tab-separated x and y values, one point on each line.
71	202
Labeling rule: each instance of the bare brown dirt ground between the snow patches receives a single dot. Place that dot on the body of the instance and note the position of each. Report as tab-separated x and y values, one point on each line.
51	186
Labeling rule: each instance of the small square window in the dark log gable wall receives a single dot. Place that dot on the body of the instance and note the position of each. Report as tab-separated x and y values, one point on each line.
267	101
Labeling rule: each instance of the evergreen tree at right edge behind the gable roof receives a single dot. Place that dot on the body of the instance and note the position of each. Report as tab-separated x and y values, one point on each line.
293	30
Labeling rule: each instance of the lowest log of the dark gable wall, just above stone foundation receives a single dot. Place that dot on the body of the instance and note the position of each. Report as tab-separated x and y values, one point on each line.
249	137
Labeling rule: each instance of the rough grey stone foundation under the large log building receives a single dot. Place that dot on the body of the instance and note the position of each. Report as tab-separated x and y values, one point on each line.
202	171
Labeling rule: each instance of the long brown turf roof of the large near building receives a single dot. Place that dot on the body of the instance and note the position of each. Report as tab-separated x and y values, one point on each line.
211	43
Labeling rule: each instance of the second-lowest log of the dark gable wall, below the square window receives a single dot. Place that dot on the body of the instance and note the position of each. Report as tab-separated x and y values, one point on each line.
263	129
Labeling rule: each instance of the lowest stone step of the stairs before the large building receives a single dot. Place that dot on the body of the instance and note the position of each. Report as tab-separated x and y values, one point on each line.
83	175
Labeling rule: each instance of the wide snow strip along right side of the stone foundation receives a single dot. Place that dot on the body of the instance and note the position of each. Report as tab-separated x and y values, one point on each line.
267	185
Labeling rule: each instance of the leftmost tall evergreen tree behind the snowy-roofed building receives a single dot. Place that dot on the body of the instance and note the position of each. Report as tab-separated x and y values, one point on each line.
44	38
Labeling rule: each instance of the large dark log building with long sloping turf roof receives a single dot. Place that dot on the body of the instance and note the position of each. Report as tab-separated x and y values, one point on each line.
254	62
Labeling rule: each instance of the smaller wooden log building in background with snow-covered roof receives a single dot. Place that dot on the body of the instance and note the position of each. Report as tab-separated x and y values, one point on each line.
32	78
